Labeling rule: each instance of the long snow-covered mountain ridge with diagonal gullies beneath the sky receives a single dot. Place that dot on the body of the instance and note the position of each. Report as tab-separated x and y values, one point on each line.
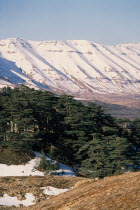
80	68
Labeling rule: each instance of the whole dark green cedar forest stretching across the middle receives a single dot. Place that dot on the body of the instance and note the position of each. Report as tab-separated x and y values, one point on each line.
83	136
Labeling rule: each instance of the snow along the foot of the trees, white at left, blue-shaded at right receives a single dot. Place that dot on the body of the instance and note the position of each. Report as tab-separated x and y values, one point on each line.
29	168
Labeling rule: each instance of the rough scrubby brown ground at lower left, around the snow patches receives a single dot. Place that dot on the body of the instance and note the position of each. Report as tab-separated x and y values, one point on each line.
19	186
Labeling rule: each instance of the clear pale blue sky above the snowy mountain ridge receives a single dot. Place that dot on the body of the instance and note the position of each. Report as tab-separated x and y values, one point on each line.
102	21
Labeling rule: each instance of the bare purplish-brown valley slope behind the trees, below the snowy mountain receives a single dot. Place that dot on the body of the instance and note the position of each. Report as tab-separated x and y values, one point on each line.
126	106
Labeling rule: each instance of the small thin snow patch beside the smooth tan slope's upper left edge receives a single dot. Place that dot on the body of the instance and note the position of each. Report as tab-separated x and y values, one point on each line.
53	191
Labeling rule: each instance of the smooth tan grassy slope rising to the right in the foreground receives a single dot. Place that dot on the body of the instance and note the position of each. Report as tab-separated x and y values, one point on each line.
118	192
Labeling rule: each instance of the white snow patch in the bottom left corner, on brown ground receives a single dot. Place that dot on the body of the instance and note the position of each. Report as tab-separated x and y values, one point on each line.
6	200
